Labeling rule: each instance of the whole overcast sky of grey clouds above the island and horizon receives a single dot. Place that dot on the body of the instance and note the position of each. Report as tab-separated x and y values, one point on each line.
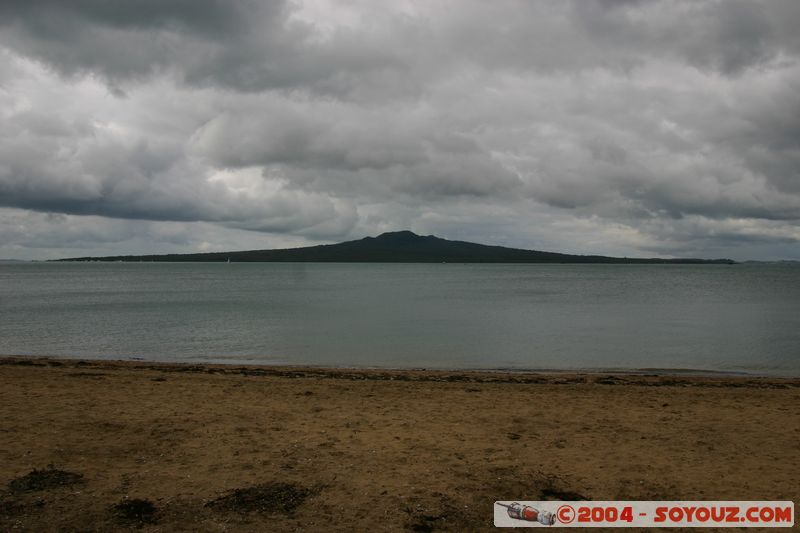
620	127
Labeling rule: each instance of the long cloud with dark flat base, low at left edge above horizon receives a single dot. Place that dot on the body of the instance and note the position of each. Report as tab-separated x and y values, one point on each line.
51	166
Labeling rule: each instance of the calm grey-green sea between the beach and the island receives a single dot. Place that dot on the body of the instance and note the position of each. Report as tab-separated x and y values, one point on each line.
742	318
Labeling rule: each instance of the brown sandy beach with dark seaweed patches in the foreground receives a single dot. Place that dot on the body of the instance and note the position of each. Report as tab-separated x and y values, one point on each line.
100	446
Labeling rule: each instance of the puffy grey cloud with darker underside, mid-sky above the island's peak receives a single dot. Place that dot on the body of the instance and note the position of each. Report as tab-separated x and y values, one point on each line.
342	149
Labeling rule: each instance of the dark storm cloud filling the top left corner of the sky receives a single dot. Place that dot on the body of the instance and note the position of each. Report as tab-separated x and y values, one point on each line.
244	45
